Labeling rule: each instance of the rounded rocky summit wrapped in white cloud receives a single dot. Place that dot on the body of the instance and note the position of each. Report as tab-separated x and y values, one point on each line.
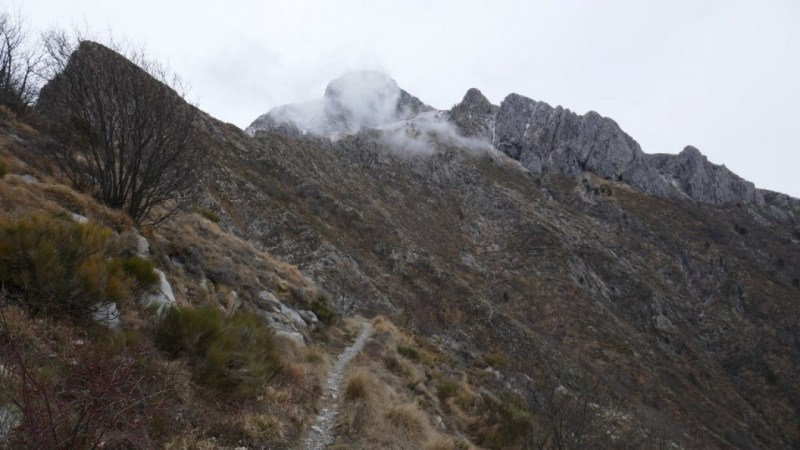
353	101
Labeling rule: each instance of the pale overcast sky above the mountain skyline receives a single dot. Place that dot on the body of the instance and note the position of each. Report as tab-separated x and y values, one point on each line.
723	76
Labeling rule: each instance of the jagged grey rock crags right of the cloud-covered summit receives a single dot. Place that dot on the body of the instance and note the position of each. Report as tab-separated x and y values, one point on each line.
546	140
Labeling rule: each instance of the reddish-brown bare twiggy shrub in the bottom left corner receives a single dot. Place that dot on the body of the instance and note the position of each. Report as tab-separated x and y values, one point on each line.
99	396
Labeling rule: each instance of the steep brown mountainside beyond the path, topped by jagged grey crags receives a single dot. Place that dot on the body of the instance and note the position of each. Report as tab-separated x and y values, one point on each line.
669	280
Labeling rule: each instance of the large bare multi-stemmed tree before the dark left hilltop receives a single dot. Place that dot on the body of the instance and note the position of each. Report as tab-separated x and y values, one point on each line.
123	129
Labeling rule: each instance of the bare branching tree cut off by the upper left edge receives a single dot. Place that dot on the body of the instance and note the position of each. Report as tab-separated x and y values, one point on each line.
18	63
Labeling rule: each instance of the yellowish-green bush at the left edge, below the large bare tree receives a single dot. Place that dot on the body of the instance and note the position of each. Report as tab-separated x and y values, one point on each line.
61	267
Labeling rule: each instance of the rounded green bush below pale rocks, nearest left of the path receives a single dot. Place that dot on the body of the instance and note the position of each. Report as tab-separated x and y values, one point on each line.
231	353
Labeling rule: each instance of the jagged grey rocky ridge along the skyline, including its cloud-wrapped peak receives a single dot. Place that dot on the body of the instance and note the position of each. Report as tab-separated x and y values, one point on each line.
544	139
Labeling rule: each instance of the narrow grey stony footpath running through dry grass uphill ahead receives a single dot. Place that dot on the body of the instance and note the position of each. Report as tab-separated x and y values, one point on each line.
321	433
